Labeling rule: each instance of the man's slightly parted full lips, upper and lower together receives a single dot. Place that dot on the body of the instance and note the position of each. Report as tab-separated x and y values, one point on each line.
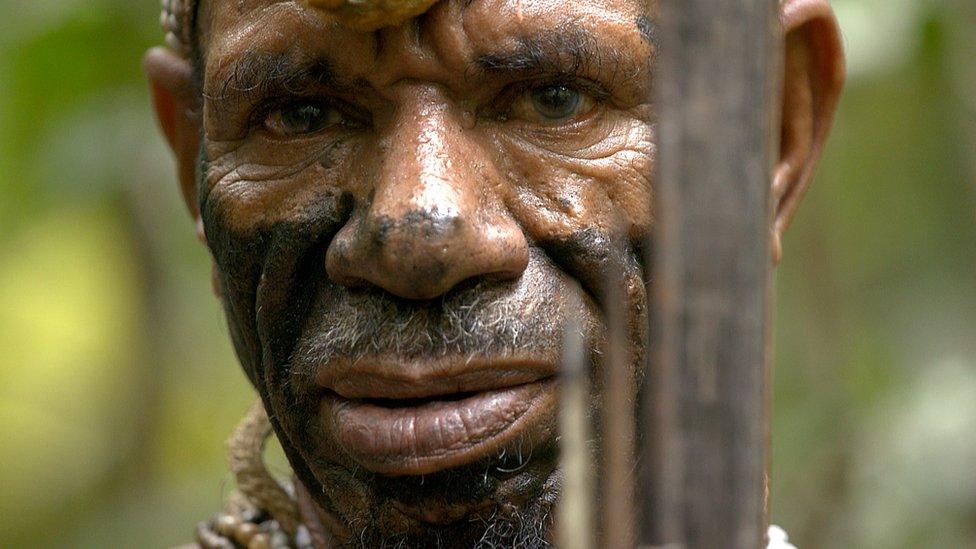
417	419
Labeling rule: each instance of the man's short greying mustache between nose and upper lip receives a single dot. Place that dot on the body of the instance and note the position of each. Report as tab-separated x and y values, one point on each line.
480	317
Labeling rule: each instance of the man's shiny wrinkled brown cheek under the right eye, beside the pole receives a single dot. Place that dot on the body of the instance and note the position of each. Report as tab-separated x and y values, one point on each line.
604	186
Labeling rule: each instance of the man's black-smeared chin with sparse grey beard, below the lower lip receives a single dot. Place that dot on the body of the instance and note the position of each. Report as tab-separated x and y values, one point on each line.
500	501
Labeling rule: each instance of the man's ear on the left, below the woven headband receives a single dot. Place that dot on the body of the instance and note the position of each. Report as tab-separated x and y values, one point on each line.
177	104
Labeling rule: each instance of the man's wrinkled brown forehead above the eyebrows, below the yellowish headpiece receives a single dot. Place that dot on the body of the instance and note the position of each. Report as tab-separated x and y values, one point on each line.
457	28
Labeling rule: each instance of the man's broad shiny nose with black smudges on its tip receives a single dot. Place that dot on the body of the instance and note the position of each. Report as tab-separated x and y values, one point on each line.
435	219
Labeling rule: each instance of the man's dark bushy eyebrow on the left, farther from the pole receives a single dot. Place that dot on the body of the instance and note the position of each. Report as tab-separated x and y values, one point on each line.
259	74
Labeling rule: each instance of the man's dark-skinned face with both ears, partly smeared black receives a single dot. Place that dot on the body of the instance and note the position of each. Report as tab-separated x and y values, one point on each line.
401	221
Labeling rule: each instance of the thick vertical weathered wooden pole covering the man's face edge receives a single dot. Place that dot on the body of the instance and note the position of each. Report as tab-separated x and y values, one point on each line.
717	79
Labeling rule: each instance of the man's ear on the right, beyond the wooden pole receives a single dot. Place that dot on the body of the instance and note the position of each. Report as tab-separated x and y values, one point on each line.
814	76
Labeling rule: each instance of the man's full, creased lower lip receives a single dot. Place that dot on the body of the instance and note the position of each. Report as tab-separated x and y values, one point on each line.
436	435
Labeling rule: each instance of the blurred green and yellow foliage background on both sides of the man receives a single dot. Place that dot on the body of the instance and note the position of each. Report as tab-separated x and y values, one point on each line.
118	385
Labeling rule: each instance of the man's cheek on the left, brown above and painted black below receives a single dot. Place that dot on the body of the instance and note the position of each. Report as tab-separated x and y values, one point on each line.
259	217
